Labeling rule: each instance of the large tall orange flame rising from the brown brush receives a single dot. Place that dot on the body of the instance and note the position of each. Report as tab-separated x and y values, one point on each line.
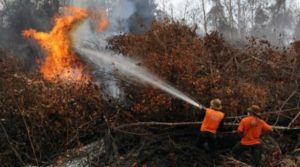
61	62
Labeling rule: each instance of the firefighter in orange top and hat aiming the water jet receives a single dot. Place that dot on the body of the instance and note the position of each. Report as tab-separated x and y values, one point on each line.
213	119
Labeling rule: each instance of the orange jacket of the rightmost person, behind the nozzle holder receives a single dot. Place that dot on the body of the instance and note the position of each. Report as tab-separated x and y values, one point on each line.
252	127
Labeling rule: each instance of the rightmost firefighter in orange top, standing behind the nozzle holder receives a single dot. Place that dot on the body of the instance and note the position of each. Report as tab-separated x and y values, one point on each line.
251	128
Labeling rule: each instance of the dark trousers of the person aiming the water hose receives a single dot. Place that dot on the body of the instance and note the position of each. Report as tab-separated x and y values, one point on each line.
210	139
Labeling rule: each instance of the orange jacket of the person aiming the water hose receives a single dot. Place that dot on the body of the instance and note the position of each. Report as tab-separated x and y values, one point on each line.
211	121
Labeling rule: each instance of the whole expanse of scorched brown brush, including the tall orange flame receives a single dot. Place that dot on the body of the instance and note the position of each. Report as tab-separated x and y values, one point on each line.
49	114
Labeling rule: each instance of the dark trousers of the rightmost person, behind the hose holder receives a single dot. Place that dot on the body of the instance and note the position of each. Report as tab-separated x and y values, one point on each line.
255	151
